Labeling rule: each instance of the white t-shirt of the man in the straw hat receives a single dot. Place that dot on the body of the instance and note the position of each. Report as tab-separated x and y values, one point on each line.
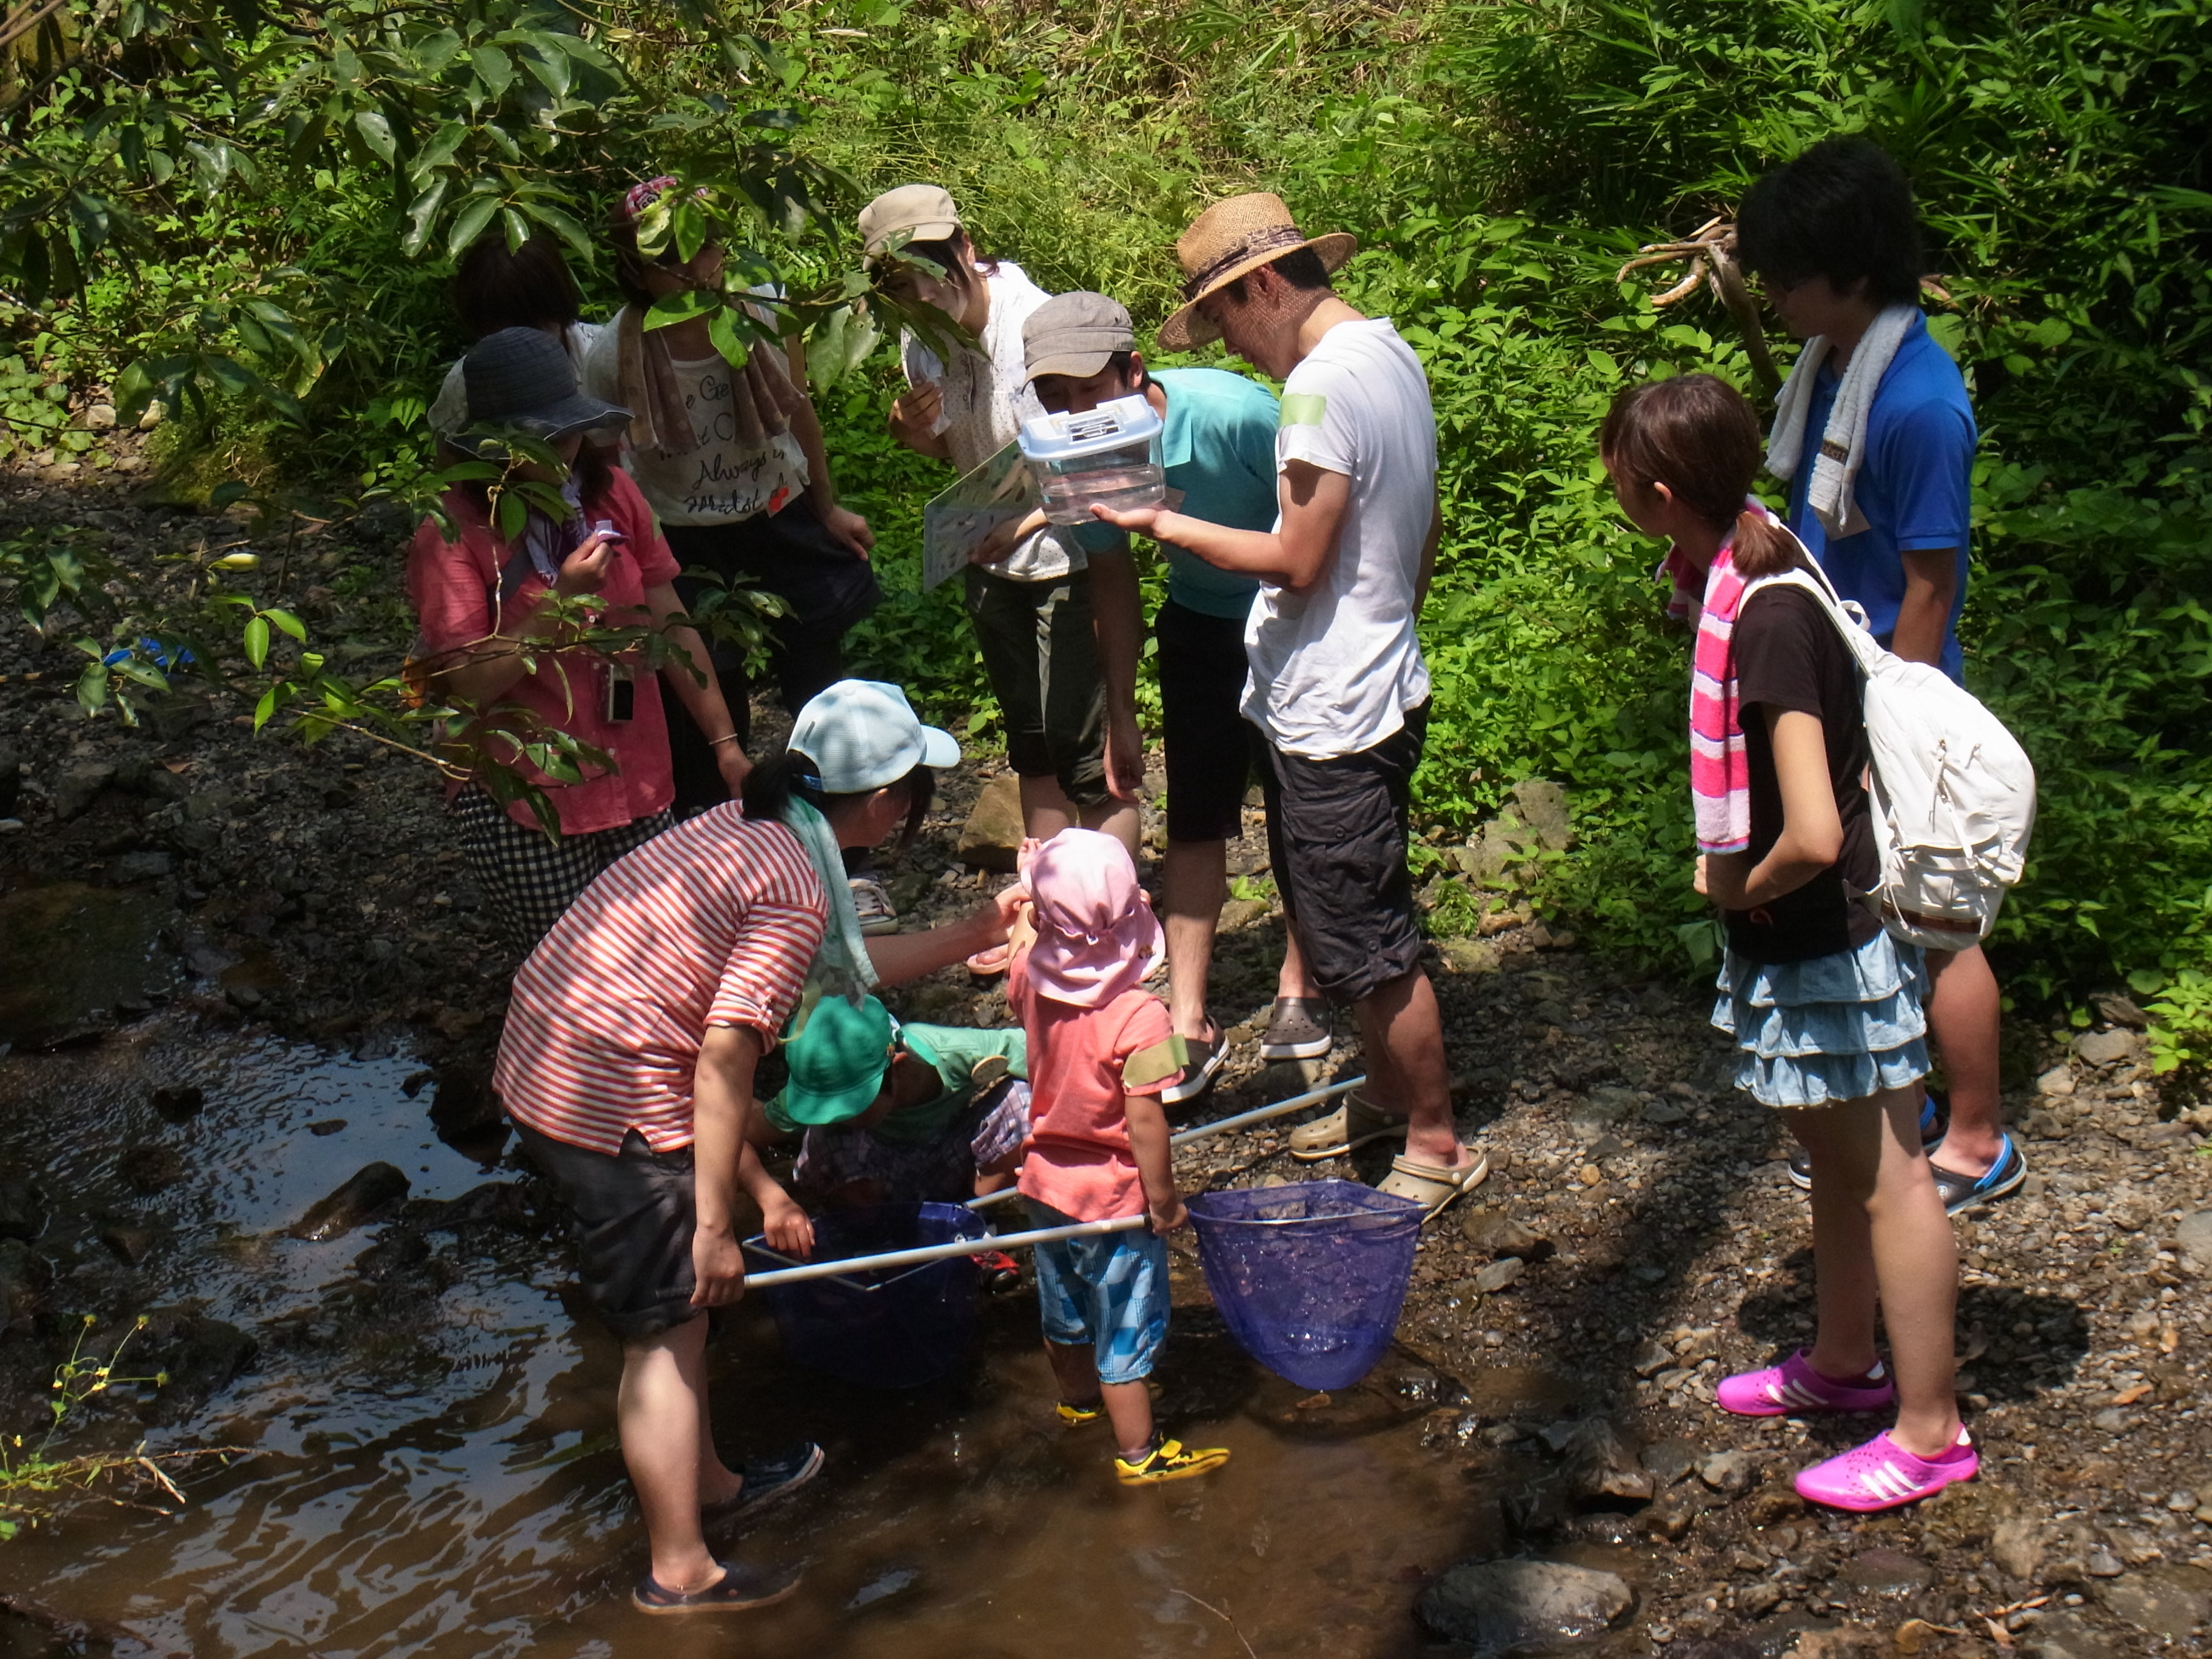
1337	667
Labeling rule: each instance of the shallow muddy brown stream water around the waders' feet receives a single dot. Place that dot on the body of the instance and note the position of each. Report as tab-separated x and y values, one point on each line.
437	1477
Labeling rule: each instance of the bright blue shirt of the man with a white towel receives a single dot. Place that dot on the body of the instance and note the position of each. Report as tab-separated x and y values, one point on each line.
1914	488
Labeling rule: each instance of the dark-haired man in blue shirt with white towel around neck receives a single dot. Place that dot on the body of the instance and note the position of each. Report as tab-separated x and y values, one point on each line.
1875	437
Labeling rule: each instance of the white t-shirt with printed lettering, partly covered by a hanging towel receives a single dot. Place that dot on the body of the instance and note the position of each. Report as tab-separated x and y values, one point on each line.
720	481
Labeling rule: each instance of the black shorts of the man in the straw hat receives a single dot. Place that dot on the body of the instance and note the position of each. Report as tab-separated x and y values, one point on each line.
1337	835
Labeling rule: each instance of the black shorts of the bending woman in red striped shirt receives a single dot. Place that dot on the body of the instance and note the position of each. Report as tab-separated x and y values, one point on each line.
634	1229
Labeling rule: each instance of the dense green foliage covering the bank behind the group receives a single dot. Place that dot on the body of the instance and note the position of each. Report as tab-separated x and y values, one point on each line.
220	207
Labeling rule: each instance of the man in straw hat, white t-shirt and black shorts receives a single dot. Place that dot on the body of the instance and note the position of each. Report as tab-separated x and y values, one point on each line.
1337	680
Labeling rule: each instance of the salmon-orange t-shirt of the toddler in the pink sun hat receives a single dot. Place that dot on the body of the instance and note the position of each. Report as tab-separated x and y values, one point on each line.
1078	1134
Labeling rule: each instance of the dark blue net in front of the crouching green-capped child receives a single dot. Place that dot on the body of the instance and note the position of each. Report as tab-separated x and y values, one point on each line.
886	1328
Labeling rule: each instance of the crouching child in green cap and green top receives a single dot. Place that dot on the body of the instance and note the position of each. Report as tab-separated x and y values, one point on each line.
899	1114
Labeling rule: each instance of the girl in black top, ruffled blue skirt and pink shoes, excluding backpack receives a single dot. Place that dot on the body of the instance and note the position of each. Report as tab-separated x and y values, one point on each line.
1822	1001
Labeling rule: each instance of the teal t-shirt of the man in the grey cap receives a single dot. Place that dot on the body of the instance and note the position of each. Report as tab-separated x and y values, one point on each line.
1220	452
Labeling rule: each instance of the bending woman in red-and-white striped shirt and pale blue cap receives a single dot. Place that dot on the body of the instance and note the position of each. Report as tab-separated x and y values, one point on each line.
627	1067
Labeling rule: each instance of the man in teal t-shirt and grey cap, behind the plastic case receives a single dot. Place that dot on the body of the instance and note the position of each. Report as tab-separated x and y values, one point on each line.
1218	446
